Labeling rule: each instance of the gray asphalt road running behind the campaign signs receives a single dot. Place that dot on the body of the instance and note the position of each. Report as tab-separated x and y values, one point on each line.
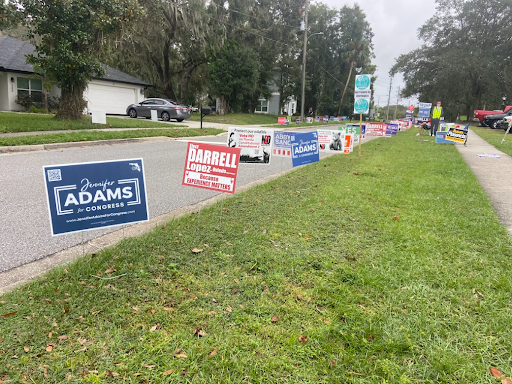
25	234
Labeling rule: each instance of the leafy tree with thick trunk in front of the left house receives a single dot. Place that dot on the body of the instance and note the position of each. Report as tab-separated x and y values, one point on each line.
70	34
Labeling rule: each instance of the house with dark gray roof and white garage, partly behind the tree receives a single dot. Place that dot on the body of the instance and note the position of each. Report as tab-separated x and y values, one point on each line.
111	93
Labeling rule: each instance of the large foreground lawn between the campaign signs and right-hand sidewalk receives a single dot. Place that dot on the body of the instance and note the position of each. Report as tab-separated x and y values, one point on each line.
379	269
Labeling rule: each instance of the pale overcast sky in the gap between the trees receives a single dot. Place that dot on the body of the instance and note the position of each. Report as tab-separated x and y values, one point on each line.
395	26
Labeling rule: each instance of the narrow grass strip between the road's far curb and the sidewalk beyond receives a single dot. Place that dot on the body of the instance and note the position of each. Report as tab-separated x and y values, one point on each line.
102	135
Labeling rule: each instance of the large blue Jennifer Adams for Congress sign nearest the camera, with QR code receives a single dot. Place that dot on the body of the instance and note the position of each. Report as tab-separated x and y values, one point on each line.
95	195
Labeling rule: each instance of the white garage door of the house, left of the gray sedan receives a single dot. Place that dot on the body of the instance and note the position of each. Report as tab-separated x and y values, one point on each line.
112	99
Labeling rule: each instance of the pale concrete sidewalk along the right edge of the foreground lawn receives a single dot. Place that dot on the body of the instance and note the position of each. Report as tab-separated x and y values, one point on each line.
494	175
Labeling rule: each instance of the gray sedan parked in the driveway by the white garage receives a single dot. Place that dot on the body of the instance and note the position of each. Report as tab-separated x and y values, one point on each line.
166	109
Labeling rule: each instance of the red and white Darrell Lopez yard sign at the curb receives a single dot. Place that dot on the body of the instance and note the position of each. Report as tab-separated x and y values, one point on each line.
211	167
